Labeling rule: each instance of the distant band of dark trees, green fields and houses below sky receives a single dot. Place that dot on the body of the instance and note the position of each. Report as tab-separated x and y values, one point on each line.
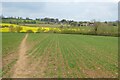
27	20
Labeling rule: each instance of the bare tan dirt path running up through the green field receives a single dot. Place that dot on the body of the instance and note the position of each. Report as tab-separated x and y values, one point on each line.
20	68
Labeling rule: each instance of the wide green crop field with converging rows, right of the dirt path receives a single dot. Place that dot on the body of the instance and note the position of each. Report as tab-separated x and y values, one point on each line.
70	55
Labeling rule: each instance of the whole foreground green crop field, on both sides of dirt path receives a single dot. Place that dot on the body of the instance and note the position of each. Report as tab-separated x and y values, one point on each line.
62	55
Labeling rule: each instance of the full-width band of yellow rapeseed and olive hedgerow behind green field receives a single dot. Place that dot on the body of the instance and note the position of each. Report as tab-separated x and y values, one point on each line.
105	30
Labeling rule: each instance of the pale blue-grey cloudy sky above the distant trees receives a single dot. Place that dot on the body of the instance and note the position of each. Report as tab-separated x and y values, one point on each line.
72	10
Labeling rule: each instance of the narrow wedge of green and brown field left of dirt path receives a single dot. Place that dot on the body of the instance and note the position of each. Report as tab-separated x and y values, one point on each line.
10	45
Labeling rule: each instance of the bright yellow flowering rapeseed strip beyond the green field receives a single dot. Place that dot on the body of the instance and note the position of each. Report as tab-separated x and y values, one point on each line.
9	27
